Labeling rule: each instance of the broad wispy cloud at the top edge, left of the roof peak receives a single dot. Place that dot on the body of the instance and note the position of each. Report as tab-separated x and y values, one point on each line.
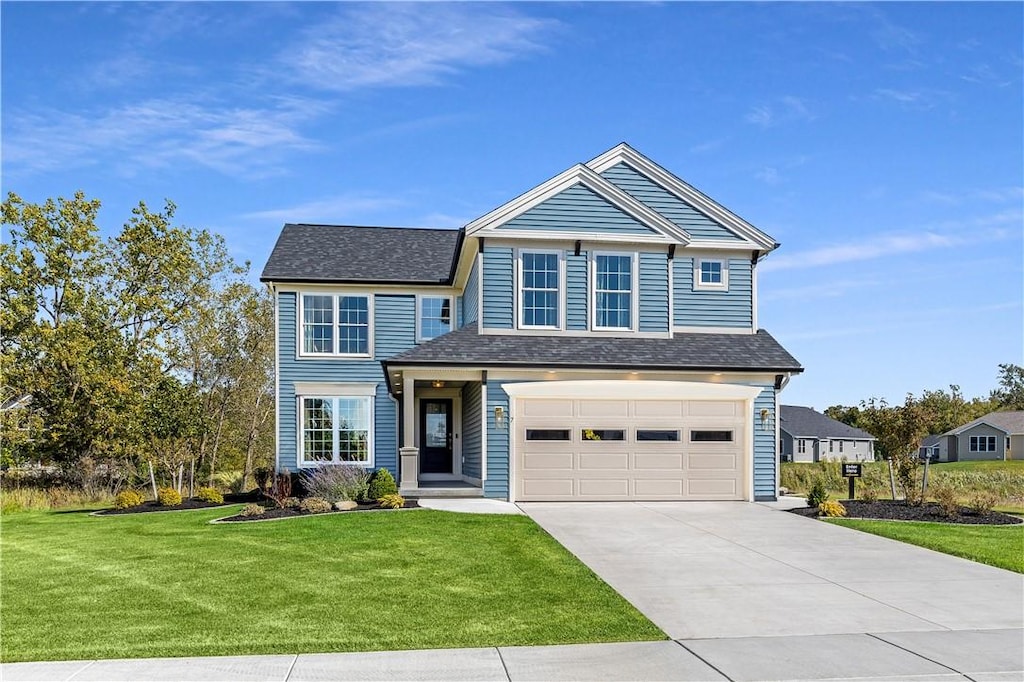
401	45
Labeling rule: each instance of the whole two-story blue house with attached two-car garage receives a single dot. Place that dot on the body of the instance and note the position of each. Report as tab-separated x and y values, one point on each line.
595	338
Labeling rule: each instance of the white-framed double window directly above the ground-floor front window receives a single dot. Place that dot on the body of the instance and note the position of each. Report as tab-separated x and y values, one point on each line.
335	325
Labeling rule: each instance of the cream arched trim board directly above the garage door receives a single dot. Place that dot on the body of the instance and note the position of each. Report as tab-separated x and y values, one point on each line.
632	391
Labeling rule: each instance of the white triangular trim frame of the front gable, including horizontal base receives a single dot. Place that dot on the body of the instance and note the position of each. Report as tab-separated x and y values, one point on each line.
660	229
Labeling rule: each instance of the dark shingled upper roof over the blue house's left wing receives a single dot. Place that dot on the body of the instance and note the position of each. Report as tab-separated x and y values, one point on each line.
347	253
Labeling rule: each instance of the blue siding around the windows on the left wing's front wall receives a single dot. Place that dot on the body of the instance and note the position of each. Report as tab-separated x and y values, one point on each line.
394	333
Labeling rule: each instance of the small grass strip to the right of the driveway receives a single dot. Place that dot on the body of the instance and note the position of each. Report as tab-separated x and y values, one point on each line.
1001	546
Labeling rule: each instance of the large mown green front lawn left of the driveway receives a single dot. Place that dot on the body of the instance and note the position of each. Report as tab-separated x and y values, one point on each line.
172	585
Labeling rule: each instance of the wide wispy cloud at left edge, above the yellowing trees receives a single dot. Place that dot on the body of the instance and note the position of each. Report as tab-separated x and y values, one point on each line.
160	133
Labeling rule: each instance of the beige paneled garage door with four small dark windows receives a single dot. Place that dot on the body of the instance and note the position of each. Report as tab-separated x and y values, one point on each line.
578	449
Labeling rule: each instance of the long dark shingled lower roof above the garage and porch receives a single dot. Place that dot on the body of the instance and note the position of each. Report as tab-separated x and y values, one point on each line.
686	352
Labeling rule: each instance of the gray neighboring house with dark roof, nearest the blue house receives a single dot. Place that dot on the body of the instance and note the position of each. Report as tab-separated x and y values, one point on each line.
807	436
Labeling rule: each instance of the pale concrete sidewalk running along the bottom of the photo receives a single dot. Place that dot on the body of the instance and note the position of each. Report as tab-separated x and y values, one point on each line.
984	656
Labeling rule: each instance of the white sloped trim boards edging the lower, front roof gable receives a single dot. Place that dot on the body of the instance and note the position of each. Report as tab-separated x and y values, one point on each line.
579	175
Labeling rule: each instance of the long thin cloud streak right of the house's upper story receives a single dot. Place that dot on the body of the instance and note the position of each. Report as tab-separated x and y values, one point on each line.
989	229
